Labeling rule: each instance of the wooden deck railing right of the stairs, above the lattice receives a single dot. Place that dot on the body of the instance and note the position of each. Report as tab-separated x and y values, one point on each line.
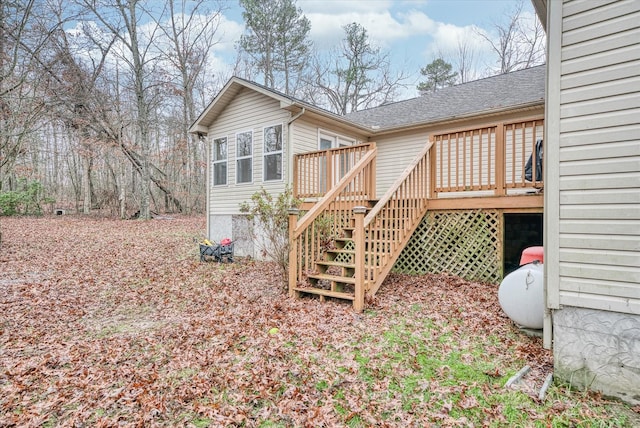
491	158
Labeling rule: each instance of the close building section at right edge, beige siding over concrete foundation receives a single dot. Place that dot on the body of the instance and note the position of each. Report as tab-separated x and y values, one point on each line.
592	193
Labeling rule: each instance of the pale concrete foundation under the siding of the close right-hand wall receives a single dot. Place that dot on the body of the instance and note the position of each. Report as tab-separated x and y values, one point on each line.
598	350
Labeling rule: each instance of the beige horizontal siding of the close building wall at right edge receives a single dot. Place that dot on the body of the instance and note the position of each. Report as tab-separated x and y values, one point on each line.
599	156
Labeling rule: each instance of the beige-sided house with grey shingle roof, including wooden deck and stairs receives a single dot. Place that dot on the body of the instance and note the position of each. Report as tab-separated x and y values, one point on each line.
469	143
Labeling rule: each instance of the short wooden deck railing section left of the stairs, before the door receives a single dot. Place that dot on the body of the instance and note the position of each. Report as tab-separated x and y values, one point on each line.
317	172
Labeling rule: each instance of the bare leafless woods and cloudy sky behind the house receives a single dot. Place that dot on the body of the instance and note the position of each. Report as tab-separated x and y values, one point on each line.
97	96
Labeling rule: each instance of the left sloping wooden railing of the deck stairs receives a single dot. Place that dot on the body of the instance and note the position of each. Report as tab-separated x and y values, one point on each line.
313	232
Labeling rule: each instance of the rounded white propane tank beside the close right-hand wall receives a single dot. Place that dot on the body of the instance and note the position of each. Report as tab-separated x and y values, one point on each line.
521	295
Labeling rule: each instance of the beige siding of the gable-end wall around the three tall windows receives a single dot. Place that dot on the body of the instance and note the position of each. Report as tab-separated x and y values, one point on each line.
248	111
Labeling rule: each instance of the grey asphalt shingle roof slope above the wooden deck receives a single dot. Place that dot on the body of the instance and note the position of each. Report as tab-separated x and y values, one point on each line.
492	93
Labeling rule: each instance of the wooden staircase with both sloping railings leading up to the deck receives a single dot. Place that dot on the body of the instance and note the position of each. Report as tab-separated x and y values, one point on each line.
364	240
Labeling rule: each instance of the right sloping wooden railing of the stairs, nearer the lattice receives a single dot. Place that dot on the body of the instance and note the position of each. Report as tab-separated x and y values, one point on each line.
388	227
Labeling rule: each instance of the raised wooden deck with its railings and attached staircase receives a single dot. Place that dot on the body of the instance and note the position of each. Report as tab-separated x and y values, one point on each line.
348	239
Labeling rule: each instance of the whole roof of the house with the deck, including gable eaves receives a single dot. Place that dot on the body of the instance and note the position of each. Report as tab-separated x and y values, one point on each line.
518	89
